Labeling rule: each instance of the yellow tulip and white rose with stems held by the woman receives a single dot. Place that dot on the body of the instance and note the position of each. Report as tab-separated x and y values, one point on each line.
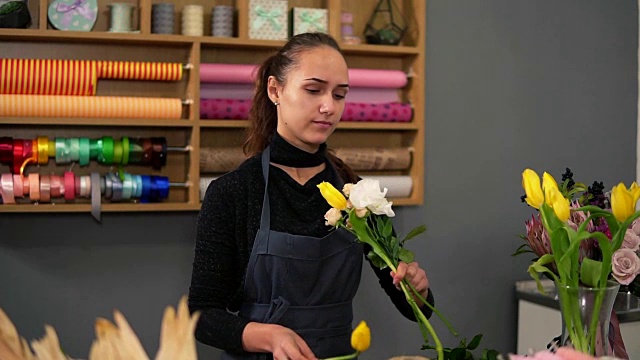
364	210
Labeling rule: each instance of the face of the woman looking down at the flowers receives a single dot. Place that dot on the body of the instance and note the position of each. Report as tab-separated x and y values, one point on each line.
312	98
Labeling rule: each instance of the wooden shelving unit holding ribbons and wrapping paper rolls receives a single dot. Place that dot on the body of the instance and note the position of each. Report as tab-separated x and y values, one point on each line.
43	42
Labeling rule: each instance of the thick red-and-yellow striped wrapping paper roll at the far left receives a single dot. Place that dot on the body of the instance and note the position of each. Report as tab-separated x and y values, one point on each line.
48	77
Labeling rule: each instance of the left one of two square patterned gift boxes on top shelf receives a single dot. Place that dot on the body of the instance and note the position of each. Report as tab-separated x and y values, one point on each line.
268	19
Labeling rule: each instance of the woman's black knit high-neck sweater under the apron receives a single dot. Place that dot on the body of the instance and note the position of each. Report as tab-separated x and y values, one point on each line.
227	225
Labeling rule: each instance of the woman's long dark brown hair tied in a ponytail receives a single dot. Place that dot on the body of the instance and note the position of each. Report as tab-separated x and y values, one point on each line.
263	114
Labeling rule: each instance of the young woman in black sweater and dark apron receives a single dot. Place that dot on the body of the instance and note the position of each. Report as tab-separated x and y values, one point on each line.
271	280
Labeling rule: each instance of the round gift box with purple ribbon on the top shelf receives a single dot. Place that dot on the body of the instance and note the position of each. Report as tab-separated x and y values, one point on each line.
74	15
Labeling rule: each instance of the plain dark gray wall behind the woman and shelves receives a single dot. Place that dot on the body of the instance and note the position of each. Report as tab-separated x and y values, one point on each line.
510	84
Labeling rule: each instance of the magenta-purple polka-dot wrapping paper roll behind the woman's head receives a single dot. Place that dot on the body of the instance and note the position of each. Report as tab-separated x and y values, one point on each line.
236	109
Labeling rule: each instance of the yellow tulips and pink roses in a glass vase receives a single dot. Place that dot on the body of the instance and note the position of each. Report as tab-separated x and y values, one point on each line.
582	237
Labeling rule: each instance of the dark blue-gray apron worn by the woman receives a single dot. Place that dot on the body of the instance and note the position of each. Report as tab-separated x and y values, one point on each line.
302	282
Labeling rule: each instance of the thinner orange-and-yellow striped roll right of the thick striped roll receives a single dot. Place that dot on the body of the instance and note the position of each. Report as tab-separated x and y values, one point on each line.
135	70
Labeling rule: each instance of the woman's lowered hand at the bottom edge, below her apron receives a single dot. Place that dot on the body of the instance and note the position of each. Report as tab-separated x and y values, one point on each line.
282	342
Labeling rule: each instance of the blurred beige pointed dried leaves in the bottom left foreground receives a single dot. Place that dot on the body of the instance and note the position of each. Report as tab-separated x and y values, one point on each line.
114	341
